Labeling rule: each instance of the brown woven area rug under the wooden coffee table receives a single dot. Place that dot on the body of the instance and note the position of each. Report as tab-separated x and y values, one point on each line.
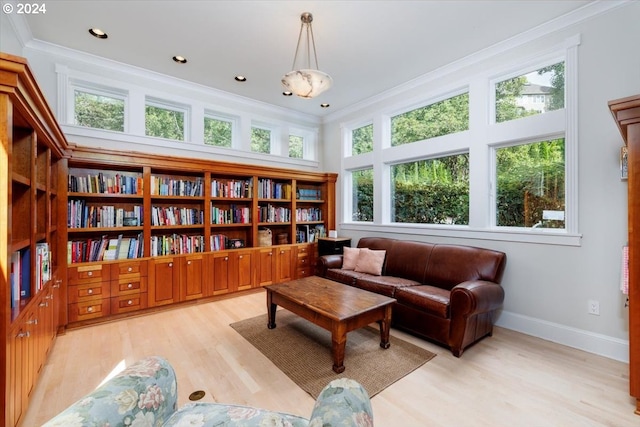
302	350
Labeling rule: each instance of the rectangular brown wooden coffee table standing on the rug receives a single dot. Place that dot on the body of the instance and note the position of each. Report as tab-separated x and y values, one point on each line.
333	306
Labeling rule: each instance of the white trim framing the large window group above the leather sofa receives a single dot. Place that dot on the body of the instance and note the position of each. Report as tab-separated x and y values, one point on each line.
481	156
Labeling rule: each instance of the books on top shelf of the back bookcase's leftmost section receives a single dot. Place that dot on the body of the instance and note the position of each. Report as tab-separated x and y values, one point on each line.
105	184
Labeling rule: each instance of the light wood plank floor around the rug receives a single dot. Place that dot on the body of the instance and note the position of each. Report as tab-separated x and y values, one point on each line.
509	379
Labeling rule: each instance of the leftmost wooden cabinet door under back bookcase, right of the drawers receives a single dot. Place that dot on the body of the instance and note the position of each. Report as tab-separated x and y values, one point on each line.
164	281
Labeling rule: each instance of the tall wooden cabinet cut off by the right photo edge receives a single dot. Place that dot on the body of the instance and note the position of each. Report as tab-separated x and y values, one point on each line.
626	113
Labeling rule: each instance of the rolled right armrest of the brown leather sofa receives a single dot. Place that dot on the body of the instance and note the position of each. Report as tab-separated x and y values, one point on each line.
475	296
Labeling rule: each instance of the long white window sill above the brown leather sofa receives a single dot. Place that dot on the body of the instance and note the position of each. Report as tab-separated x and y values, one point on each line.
520	235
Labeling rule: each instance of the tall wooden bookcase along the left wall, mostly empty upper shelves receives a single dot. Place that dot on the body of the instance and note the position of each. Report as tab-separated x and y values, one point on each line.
31	279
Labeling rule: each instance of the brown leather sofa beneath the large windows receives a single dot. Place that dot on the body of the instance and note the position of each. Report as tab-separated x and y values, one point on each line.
444	293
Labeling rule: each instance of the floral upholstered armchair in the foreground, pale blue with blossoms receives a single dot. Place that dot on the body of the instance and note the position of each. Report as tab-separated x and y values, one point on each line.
145	395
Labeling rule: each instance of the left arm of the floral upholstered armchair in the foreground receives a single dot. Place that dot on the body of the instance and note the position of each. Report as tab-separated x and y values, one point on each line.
145	393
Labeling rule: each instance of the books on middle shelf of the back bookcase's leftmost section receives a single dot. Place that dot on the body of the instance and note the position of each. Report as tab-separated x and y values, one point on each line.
81	215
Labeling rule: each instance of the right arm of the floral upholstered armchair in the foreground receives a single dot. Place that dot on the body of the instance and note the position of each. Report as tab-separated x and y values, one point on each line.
343	402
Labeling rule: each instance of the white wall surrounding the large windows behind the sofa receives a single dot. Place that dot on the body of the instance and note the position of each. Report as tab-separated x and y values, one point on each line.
548	286
